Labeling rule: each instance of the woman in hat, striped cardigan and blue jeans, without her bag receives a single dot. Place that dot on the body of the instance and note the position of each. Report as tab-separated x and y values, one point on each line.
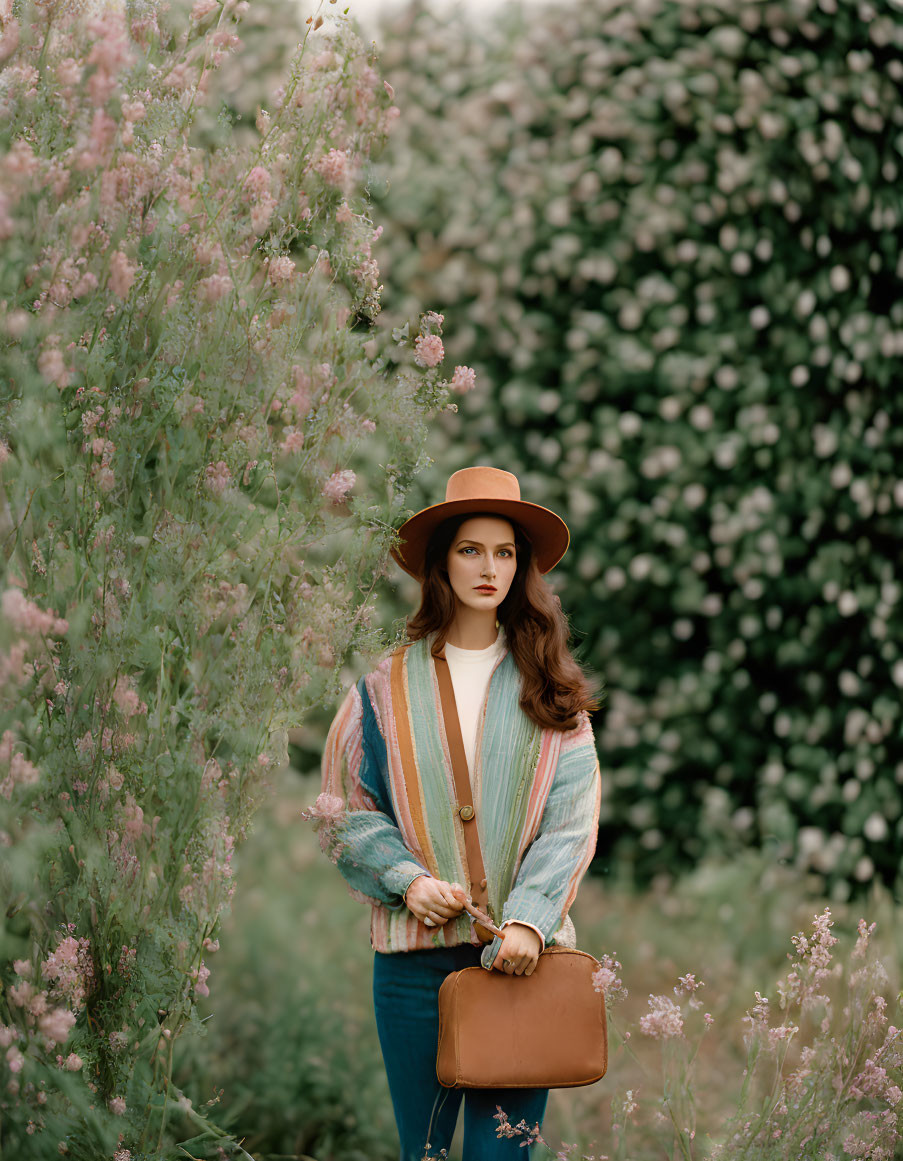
394	821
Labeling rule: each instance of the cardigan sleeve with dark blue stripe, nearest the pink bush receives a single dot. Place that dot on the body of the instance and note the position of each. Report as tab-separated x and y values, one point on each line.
355	814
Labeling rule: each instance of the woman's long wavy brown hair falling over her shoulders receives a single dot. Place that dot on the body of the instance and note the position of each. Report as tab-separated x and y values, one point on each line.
554	687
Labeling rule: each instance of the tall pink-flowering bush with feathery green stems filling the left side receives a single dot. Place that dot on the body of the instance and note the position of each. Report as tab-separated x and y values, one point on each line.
194	407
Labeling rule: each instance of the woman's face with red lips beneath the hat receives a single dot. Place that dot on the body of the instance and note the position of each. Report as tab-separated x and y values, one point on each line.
482	561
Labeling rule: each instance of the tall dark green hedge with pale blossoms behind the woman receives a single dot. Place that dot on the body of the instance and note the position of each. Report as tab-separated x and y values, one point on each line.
668	237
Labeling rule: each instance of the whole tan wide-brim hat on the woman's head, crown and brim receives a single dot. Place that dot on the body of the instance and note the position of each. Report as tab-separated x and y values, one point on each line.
483	491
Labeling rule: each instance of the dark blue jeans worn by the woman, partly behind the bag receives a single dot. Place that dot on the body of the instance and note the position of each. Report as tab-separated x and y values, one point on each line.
406	987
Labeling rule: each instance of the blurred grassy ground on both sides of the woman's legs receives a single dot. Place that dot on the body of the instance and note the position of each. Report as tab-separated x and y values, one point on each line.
291	1062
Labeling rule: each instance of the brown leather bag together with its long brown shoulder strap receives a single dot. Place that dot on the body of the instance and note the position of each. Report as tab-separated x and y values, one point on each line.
546	1030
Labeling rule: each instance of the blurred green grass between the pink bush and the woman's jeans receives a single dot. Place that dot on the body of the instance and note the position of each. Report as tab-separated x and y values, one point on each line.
291	1061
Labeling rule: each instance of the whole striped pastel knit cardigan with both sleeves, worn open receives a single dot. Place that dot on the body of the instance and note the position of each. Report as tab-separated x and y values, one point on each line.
537	796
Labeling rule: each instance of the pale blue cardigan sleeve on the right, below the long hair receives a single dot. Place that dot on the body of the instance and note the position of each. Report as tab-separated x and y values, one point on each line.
557	861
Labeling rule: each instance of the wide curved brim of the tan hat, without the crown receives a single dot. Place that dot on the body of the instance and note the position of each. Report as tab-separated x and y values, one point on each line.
550	535
